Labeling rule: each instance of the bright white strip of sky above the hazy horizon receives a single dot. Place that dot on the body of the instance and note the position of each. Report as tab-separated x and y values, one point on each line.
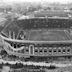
51	1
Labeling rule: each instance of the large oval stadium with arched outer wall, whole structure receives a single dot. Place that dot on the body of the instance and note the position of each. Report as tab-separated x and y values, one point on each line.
38	37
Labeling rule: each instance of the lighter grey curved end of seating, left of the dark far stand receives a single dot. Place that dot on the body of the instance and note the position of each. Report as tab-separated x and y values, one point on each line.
10	29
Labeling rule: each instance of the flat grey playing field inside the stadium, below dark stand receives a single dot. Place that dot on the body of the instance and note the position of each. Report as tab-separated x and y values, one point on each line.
49	35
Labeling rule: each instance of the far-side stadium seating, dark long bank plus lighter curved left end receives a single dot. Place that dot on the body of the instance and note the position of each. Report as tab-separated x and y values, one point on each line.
28	24
